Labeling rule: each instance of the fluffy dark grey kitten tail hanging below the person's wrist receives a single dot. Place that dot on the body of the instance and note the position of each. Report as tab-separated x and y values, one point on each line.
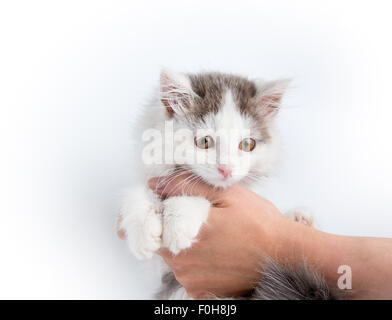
279	282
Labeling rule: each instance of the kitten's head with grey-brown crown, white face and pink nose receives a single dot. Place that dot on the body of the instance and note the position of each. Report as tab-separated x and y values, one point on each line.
231	120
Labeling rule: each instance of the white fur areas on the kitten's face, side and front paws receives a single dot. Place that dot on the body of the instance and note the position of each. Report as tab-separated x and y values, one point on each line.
174	223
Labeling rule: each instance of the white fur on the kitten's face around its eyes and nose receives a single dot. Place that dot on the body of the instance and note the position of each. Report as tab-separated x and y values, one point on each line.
228	127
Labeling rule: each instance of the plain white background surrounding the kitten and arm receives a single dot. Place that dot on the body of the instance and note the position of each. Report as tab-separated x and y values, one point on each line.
74	73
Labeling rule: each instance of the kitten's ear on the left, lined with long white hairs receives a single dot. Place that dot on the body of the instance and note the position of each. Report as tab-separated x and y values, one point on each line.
176	92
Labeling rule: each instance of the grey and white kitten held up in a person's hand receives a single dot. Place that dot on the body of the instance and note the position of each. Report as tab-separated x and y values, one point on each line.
228	135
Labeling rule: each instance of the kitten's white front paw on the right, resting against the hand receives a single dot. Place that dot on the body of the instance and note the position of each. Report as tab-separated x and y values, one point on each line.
182	219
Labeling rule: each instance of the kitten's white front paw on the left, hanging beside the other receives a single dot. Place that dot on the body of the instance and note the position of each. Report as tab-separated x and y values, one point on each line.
141	219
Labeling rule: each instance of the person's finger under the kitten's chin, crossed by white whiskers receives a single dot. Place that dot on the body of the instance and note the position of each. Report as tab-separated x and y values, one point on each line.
184	184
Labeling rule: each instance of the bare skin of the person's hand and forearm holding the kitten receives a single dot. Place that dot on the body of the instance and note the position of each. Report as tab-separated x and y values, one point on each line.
243	227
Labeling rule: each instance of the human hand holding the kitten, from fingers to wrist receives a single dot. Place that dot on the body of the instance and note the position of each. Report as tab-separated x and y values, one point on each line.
241	229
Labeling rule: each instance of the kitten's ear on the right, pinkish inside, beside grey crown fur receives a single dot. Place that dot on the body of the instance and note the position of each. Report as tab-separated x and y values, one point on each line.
270	94
